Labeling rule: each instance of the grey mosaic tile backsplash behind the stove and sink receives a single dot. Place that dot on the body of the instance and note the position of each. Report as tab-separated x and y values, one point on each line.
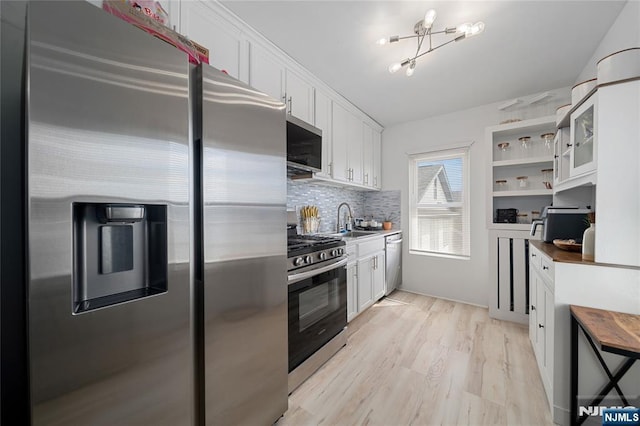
365	204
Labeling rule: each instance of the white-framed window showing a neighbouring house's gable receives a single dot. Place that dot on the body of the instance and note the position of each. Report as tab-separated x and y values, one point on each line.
439	203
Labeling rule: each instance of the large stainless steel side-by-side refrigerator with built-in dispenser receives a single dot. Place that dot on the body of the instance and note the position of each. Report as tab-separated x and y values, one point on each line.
148	203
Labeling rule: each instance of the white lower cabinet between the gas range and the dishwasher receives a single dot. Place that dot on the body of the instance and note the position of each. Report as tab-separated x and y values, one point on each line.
365	276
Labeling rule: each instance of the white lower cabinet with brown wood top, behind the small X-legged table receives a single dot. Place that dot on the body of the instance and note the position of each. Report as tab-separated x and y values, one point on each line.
553	286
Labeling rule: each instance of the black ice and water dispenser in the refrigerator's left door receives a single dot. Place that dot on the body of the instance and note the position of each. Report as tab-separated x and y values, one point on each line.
120	253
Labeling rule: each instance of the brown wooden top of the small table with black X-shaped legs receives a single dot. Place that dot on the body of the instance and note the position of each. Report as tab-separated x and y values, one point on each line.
612	331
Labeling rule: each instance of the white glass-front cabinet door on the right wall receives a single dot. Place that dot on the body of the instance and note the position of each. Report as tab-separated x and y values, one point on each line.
582	146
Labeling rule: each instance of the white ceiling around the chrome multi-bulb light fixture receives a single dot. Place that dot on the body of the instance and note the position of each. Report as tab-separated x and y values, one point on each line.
527	47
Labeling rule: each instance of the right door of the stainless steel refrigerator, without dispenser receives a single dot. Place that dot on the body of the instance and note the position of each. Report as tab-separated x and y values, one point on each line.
244	301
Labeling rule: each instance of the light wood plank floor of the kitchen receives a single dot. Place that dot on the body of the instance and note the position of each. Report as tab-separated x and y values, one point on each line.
417	360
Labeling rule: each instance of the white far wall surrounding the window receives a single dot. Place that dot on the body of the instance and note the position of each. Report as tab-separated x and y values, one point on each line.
463	280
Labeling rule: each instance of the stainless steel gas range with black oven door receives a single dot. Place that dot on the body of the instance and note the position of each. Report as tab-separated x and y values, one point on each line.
317	306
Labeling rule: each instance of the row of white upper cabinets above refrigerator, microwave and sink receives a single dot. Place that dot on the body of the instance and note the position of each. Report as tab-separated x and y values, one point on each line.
348	135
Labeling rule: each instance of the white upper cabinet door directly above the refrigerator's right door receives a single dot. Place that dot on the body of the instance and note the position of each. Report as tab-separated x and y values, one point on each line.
201	24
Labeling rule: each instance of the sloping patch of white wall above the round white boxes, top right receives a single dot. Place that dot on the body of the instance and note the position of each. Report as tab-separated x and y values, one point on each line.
623	34
